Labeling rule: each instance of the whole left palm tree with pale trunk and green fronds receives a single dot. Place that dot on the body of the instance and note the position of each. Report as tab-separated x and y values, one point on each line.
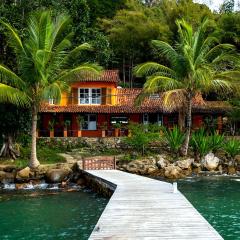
45	64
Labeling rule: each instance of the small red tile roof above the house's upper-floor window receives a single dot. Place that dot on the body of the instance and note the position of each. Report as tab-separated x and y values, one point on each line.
106	76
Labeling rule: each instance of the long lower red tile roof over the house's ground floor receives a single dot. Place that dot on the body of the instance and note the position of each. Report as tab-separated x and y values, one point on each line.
125	104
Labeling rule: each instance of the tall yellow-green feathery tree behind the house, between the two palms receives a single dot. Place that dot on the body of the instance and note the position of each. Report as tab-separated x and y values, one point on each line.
130	32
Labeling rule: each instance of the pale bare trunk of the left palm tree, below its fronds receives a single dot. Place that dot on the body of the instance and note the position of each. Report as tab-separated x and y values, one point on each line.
34	163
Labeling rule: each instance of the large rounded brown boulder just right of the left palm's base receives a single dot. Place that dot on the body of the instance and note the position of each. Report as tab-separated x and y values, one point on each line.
57	175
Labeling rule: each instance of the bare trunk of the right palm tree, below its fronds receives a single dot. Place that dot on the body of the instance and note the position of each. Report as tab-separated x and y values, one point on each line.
184	149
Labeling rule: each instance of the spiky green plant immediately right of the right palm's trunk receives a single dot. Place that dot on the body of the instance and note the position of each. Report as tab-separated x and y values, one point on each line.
200	143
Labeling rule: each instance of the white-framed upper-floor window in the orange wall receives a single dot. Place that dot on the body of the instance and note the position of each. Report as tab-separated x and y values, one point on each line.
89	96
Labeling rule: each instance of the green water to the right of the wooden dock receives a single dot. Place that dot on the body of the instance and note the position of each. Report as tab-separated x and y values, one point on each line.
218	200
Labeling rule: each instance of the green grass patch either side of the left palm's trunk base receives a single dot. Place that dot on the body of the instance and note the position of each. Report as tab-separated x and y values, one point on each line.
45	156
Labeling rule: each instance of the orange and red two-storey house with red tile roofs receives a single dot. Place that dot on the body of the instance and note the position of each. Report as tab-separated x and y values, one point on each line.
97	107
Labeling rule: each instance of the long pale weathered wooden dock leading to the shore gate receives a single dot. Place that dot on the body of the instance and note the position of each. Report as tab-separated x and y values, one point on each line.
144	208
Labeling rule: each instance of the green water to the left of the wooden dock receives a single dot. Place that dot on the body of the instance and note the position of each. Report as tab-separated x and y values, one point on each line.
49	215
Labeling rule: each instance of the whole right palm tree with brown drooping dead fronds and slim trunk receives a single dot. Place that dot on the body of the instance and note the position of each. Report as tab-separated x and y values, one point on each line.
197	63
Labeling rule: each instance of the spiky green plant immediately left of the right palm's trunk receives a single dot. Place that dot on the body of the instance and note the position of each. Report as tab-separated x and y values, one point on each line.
174	139
